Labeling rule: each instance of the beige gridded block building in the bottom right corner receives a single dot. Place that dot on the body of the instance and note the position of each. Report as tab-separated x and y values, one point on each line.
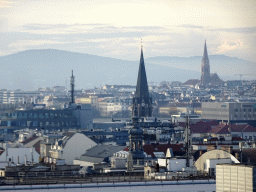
235	177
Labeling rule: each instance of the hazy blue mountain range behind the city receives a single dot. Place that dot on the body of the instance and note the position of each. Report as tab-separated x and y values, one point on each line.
30	69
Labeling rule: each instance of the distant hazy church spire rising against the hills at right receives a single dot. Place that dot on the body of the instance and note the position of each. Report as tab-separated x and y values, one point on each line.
205	68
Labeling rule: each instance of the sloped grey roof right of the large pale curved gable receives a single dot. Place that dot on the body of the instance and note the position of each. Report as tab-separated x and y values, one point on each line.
100	152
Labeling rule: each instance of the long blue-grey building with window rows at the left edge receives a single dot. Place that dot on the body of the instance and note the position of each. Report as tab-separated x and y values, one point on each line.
79	116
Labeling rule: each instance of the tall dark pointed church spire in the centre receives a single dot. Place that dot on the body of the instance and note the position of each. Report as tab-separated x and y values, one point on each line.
142	102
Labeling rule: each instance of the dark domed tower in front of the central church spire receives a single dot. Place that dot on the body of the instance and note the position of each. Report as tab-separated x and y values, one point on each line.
135	139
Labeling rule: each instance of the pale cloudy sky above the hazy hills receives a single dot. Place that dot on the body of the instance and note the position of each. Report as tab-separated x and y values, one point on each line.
114	28
